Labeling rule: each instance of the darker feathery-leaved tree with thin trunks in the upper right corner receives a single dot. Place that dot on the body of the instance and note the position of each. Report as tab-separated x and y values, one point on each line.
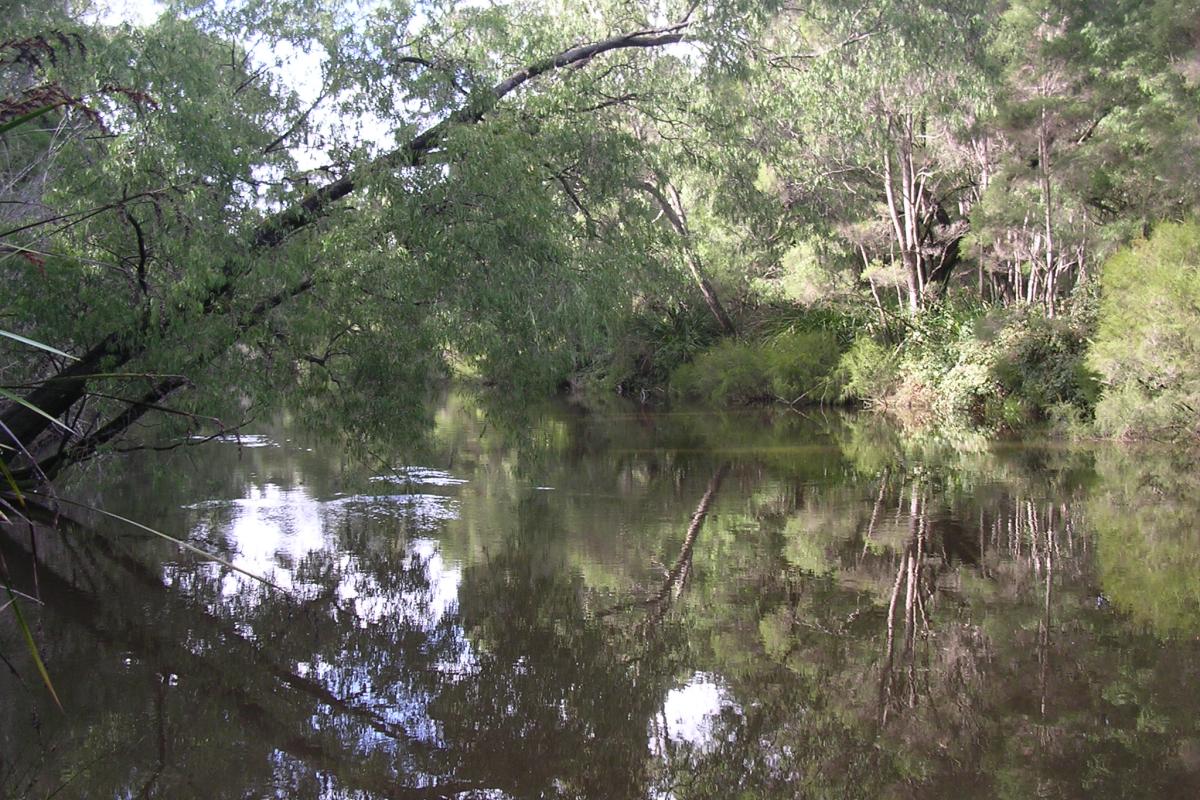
1094	137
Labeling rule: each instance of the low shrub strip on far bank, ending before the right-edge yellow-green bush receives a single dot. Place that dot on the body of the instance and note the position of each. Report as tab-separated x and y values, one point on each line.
962	363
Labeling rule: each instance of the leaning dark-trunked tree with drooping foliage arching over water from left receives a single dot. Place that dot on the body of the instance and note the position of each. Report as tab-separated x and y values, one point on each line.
181	245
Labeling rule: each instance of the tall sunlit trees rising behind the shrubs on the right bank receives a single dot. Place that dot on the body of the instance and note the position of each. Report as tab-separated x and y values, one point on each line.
1030	136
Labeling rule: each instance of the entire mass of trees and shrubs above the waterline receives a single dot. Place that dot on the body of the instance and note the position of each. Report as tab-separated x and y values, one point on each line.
914	207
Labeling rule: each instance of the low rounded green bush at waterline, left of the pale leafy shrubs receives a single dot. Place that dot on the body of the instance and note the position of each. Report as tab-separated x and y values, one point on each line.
793	368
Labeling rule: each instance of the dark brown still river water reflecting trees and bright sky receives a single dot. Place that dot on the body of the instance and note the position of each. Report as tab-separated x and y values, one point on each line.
620	606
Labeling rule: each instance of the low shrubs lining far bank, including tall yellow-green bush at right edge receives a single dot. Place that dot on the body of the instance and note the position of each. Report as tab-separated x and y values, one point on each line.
1119	360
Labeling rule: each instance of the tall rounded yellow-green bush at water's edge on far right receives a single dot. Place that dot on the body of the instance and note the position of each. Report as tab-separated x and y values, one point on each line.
1148	340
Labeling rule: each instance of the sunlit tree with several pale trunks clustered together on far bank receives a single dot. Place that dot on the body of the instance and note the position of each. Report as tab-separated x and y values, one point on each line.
866	121
